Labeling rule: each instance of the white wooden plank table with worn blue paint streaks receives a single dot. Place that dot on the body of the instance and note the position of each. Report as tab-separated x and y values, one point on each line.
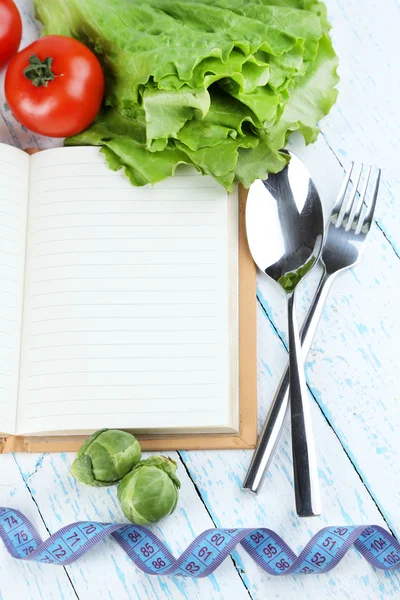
352	376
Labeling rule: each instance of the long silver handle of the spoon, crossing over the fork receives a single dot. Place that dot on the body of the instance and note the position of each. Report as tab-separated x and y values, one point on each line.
308	501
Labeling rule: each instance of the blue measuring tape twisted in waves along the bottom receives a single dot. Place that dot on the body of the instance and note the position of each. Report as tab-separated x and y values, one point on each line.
322	553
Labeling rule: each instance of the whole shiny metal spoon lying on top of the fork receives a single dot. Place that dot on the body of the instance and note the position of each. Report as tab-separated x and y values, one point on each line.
285	230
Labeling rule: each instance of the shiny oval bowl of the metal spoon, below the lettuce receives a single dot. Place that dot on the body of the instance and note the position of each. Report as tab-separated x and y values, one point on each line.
285	224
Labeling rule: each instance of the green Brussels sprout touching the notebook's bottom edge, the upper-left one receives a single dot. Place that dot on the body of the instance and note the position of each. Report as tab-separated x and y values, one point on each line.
106	457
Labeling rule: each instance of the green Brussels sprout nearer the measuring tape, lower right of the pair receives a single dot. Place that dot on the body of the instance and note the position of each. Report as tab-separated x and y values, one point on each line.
150	491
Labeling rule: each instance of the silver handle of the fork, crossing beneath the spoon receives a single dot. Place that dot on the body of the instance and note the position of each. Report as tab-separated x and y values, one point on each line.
274	422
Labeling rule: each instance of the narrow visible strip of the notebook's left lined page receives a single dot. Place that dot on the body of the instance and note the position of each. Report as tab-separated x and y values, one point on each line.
14	176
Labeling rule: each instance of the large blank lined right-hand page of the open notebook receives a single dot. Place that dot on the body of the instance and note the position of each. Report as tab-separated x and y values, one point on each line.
126	298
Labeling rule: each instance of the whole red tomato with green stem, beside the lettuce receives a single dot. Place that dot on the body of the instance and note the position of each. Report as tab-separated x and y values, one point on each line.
55	86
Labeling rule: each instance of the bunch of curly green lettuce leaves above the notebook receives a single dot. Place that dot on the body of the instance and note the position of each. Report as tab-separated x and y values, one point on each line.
217	84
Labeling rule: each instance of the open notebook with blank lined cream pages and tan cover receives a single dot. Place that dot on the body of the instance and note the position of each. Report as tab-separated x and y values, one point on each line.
119	306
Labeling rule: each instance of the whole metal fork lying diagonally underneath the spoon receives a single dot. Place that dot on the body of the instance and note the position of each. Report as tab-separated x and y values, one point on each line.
347	230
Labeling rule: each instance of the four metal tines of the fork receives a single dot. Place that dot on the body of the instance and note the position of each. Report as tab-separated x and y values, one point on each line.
355	206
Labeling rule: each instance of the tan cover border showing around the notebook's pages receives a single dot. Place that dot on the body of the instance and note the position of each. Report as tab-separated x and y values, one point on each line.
247	436
